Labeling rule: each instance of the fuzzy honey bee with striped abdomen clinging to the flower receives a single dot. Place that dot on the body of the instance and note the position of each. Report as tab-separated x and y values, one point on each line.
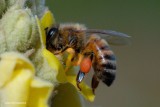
89	50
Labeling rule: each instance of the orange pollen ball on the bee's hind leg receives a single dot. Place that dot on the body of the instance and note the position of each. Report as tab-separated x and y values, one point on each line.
85	65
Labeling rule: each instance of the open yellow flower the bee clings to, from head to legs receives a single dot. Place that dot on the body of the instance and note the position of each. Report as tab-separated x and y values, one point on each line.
46	21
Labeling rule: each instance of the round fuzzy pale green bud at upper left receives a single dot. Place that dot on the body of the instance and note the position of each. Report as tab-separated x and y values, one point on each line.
19	28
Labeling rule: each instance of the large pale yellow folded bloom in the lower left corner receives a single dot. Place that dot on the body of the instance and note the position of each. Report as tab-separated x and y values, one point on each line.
15	89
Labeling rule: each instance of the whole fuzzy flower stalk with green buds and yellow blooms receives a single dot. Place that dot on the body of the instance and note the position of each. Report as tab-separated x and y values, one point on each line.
29	82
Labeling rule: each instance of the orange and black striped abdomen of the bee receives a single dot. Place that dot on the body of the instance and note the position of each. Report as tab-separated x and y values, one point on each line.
104	63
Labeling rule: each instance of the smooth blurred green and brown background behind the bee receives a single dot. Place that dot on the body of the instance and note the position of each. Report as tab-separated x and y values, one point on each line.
138	77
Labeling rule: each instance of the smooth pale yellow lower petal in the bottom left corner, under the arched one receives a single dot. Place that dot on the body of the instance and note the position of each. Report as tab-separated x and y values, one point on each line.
15	93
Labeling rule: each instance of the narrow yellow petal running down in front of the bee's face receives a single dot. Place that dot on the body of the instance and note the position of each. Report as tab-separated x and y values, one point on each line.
53	62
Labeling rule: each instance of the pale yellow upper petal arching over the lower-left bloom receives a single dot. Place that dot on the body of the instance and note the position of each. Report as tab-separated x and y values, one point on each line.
8	63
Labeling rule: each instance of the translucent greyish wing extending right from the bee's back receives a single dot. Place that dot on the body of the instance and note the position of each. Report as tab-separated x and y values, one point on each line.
112	37
